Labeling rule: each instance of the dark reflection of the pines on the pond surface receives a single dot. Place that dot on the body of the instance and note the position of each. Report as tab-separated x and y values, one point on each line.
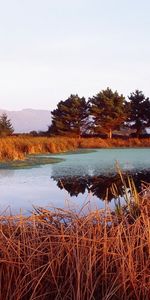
100	186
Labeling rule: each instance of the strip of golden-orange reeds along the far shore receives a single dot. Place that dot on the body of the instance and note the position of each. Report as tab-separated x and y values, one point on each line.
13	148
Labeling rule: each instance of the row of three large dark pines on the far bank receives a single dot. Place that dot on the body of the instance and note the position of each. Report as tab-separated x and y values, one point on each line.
102	114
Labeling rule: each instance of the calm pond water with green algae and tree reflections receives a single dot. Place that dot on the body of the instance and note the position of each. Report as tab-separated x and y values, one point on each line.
79	177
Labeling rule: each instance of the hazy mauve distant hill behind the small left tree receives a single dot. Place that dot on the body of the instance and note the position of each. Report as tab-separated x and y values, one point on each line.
27	120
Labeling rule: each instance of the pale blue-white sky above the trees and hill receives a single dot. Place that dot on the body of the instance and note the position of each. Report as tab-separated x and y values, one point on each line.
53	48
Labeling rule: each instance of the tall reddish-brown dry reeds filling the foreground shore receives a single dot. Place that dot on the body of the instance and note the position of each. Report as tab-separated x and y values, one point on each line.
66	255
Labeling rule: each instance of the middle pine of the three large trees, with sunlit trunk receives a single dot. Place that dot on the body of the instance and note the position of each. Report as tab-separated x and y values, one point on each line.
108	111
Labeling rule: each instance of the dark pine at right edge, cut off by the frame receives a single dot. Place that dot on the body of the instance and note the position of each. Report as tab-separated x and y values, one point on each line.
139	116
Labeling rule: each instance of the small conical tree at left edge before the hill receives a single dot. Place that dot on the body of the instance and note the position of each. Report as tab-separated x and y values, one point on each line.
6	127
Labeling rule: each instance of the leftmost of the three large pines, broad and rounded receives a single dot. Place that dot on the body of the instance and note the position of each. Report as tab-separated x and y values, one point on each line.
69	118
